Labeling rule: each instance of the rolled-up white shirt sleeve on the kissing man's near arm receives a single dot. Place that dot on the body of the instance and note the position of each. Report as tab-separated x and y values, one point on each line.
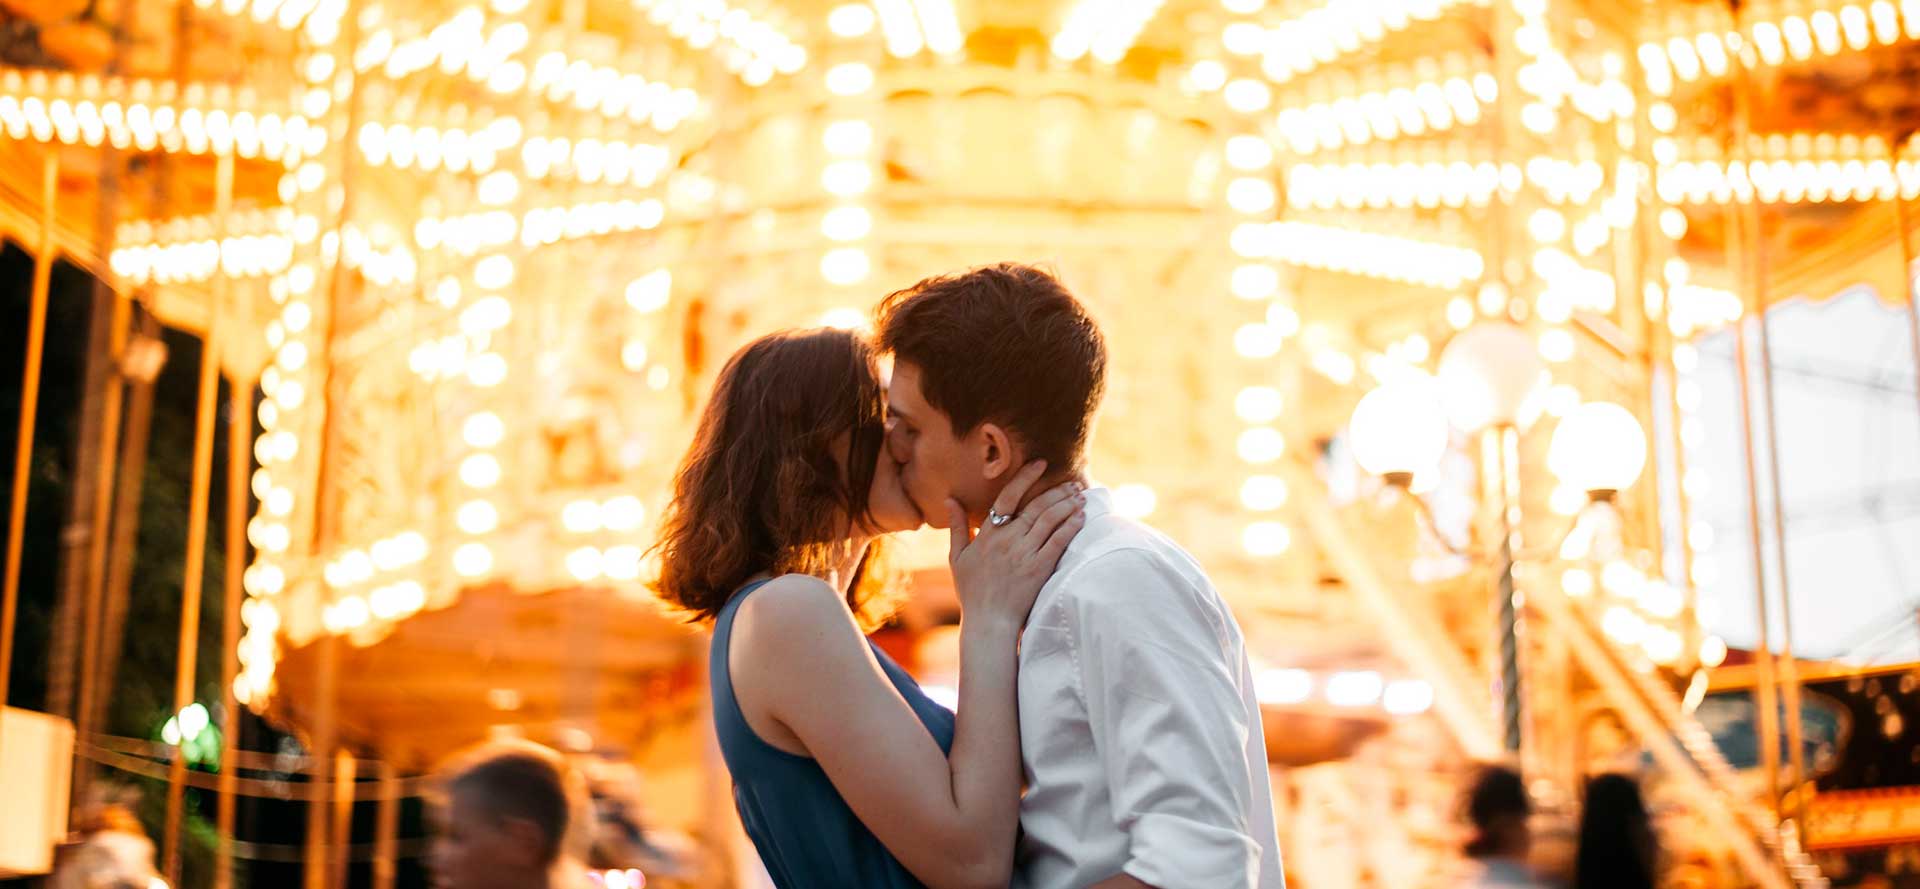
1168	721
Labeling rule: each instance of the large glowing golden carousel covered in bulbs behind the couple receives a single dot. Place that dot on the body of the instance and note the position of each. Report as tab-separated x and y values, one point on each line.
1408	304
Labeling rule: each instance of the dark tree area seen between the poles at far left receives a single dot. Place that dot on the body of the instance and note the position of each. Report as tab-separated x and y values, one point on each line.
141	692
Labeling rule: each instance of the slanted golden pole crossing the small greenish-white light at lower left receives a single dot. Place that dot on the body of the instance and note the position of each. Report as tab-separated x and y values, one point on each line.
197	558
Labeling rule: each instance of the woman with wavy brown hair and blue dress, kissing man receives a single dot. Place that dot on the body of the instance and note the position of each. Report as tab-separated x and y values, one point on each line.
844	771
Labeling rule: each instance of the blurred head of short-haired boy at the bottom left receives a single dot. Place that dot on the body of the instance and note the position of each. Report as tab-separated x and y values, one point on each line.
504	819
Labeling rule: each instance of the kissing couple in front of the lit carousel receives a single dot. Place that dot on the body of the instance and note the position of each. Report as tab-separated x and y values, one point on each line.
1107	731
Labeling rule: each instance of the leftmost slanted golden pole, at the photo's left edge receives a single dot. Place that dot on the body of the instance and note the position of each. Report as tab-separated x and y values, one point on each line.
30	404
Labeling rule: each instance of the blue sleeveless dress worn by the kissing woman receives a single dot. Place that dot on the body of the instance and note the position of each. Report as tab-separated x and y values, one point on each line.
805	832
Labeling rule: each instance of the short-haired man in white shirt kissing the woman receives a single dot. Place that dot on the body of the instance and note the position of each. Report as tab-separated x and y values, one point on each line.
1140	729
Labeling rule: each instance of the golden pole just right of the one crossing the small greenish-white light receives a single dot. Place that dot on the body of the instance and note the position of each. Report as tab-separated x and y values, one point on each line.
239	464
